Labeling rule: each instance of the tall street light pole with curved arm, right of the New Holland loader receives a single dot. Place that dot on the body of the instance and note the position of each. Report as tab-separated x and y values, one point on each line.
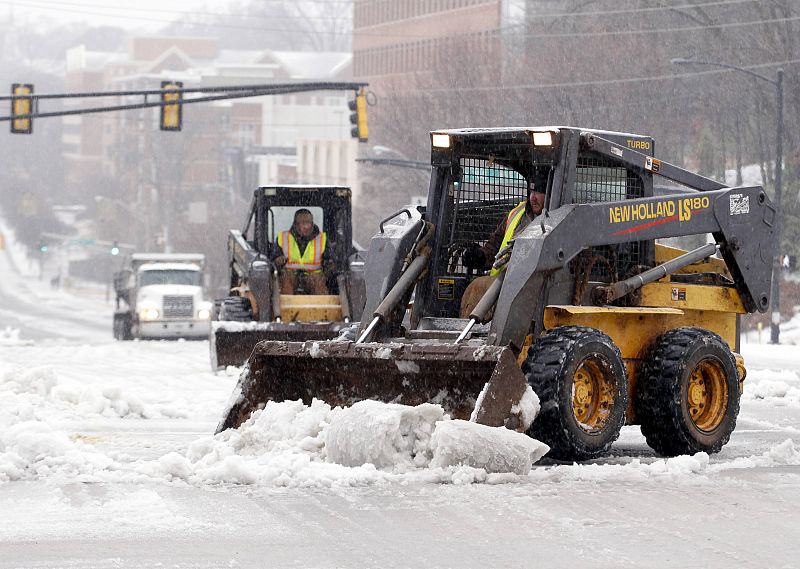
775	292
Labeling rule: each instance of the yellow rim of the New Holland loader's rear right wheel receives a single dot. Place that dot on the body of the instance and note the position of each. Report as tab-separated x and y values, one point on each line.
707	395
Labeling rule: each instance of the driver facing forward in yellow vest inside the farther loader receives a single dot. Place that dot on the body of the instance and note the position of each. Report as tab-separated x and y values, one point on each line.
301	255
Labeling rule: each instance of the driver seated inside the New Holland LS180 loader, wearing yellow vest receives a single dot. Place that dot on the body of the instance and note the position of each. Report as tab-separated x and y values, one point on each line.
482	257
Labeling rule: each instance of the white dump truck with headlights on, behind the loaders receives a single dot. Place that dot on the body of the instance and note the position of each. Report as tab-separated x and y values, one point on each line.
160	295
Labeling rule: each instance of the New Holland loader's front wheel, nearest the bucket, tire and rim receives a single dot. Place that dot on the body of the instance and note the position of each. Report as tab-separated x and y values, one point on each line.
579	376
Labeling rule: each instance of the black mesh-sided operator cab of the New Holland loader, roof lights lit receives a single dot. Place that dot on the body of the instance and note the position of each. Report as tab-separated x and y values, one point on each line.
487	172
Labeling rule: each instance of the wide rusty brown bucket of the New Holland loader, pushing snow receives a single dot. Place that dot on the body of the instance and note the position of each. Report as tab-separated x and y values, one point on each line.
342	373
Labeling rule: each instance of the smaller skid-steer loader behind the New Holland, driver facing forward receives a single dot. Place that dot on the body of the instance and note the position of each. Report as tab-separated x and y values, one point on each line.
257	309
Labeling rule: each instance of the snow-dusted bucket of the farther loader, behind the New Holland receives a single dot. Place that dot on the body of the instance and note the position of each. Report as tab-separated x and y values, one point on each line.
231	343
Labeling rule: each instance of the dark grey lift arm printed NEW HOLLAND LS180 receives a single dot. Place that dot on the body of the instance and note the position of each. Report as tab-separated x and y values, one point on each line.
730	214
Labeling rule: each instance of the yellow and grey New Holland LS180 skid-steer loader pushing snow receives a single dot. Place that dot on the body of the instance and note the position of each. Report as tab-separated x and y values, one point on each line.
606	325
